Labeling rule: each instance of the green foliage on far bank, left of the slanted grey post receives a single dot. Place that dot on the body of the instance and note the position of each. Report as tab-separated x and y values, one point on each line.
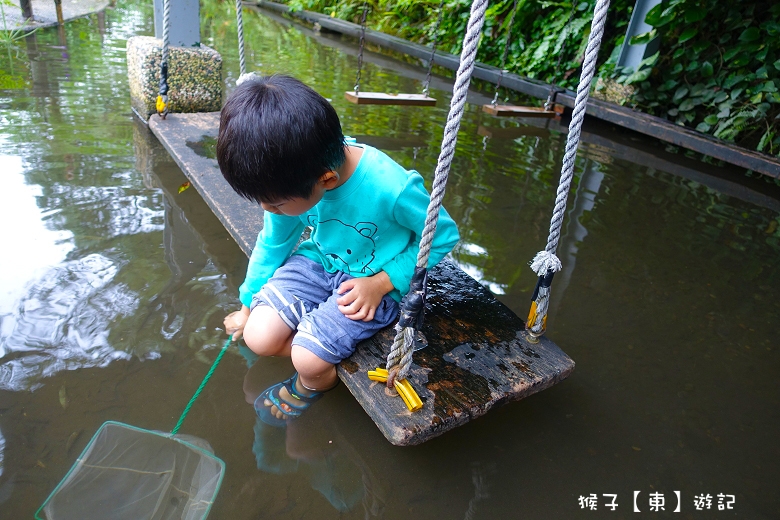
540	31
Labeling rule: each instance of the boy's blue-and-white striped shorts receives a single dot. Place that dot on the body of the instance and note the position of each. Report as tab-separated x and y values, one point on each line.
304	295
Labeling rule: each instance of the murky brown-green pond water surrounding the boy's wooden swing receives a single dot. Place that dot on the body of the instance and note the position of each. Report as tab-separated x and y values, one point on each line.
114	285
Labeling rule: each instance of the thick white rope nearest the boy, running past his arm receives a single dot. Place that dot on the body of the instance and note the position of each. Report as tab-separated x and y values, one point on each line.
401	351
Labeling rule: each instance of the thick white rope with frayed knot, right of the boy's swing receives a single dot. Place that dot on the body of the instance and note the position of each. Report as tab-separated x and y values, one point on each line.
547	261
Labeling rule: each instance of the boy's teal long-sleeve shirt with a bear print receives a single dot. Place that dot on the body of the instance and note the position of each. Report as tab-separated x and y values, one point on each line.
371	223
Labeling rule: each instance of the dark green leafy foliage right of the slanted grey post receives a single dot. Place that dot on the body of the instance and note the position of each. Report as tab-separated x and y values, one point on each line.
718	69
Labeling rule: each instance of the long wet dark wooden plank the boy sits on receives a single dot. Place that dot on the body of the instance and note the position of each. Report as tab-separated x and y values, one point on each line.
477	355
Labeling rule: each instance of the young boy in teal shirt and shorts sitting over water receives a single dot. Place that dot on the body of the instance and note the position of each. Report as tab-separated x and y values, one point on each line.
281	145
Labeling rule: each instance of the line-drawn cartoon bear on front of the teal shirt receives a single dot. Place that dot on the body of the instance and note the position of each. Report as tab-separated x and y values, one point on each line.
358	250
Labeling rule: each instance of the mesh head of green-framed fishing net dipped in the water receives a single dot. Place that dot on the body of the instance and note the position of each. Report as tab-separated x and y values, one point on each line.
127	473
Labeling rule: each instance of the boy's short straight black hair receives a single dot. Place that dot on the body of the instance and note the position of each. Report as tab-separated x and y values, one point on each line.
277	137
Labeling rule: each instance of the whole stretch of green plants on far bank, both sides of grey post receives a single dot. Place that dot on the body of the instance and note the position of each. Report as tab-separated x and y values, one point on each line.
717	69
